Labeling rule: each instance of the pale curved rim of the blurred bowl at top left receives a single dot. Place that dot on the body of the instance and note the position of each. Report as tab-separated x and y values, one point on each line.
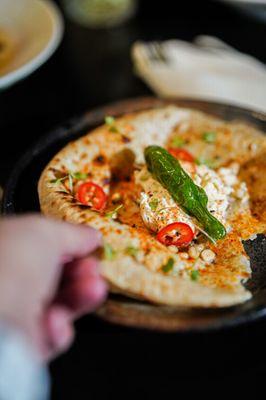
34	63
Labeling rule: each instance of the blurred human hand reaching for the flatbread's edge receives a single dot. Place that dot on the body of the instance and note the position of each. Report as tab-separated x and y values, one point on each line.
48	278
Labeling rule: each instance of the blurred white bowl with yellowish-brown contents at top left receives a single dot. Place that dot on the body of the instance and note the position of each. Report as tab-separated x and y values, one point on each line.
35	28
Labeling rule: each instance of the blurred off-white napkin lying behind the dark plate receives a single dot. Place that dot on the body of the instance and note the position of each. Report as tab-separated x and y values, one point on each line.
206	69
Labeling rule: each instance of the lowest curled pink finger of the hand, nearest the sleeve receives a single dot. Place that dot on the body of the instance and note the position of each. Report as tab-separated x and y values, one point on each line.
58	331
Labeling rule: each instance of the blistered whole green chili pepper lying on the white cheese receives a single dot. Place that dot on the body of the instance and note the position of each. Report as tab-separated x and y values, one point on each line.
192	198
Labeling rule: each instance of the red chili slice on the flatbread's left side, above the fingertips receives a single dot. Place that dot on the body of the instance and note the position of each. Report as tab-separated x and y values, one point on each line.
92	195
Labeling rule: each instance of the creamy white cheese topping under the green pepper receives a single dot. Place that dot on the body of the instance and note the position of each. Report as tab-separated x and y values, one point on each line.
158	209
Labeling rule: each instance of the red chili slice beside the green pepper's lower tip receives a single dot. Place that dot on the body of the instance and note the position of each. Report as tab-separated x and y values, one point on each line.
175	234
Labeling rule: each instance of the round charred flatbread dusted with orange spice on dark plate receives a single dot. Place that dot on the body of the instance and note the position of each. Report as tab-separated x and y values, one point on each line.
140	275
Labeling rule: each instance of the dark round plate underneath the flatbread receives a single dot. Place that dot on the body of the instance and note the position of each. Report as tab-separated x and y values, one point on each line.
21	196
